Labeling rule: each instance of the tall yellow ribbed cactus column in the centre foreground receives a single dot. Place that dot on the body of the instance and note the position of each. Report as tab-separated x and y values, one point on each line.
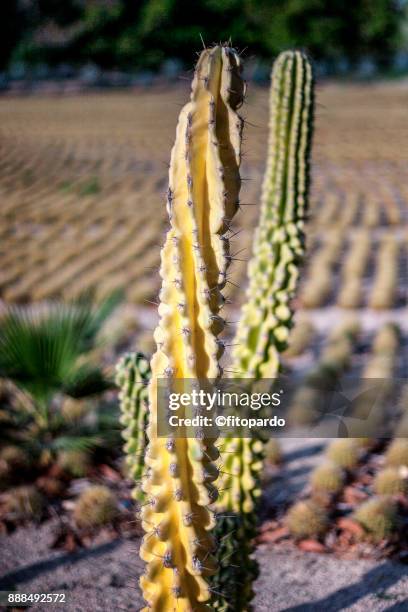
202	198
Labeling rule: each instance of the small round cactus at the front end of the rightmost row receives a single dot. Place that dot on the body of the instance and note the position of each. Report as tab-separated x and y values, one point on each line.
378	517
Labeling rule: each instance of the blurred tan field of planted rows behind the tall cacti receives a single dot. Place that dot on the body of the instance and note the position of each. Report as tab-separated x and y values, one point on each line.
83	182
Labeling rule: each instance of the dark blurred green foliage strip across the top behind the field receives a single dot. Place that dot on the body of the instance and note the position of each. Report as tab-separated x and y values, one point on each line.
134	34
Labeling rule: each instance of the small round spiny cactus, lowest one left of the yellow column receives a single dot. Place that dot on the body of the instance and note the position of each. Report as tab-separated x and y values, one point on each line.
95	506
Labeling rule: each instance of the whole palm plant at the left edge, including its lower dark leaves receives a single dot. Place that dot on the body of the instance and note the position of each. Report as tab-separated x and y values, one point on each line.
46	354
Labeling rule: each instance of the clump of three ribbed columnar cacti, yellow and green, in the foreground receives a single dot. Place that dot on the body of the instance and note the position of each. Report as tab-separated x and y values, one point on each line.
188	563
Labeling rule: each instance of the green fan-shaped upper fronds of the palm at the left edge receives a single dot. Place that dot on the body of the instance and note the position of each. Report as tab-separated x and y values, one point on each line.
40	347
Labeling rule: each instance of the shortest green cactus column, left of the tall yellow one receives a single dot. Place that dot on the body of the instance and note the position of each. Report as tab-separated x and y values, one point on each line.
132	377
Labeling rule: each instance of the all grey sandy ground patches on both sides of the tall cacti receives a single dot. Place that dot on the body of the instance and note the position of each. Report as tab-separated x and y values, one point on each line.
105	577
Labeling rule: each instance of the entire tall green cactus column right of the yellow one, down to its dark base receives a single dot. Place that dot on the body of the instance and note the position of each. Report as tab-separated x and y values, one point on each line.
267	315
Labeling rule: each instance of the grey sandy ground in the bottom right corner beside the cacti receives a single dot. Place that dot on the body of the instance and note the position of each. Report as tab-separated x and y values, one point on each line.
298	582
